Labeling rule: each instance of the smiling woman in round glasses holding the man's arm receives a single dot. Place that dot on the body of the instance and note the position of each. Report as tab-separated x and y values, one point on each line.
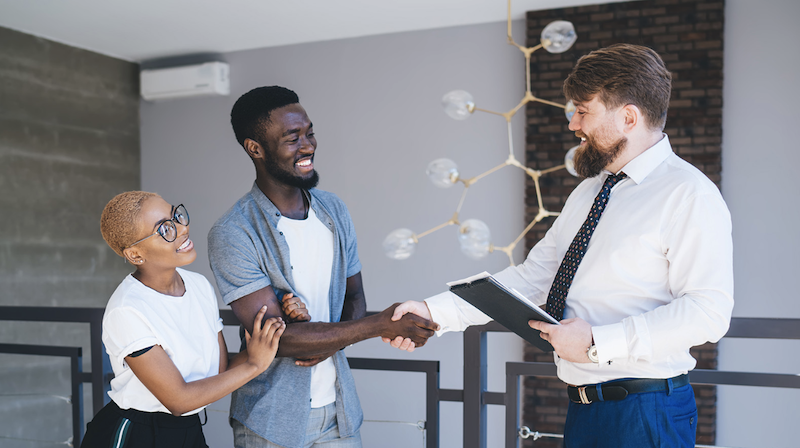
162	332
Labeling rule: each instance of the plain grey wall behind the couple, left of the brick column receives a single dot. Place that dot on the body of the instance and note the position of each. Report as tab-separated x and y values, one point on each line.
375	104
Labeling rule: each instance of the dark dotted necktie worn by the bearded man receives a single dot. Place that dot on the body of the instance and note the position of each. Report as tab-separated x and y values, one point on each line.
566	272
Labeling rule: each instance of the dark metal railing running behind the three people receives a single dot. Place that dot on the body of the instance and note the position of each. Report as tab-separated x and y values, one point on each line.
474	395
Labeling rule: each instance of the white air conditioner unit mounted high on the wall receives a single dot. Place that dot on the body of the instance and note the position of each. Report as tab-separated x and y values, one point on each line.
210	78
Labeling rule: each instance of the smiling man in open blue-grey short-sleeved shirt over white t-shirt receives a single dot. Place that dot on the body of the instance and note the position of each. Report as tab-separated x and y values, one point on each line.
286	237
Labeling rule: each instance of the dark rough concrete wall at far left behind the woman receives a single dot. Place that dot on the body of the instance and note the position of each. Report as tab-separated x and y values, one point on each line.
69	141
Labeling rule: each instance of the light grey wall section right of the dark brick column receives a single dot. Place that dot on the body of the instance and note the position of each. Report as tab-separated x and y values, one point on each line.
760	184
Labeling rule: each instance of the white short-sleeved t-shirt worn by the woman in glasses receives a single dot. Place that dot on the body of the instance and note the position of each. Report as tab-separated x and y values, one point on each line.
185	327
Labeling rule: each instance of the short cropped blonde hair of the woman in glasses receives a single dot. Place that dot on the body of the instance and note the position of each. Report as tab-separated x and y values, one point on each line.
120	218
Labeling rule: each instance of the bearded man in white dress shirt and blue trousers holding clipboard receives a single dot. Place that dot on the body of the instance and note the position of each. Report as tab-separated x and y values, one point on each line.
655	280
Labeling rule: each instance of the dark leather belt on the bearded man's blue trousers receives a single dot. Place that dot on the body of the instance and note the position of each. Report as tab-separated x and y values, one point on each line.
618	390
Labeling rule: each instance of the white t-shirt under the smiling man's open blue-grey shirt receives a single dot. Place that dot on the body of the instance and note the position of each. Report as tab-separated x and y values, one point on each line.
311	254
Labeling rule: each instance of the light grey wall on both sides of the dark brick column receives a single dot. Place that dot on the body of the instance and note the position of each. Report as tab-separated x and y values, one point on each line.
374	102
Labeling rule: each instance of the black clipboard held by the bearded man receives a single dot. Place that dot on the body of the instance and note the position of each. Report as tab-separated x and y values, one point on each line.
505	305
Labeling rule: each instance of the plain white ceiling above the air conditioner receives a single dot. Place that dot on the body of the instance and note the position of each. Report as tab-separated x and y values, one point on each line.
138	30
